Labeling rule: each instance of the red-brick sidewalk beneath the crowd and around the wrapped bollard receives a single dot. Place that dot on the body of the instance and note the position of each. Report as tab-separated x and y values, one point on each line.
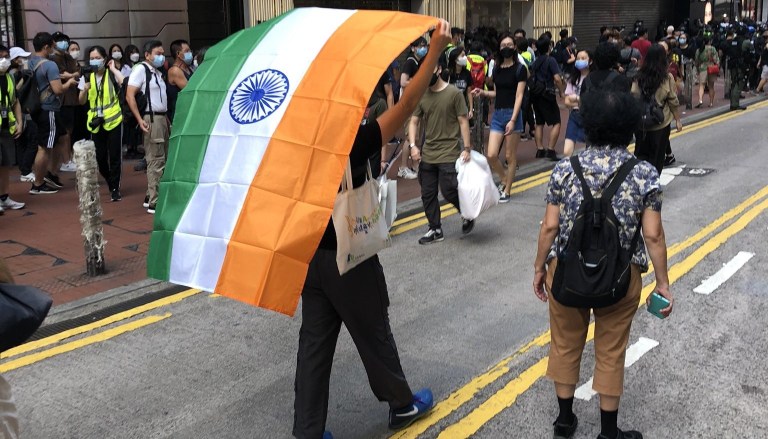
43	246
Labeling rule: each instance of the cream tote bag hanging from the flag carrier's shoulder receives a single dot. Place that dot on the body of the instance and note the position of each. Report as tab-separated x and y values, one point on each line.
361	230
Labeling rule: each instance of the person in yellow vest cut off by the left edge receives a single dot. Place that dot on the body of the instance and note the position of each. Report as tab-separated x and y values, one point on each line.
11	127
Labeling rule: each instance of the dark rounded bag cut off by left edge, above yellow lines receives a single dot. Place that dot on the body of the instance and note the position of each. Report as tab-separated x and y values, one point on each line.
22	311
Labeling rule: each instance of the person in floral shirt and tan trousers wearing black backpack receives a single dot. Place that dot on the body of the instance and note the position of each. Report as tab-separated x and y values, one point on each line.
604	167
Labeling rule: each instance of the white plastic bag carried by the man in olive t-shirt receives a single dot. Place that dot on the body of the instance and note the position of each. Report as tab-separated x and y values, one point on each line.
477	191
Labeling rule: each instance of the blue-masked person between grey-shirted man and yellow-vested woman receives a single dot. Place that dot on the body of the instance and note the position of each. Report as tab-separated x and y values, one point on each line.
68	68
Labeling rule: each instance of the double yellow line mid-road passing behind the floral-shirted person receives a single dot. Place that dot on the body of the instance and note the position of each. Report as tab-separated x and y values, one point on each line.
517	385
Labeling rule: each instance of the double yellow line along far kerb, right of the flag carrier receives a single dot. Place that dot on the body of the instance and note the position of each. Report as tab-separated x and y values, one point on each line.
411	222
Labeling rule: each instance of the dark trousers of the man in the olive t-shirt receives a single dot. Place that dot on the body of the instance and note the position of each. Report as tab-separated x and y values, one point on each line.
430	176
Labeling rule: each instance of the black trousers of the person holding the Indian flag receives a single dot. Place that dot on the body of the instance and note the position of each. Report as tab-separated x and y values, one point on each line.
359	299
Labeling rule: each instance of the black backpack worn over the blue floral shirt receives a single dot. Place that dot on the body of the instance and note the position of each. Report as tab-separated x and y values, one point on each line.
593	270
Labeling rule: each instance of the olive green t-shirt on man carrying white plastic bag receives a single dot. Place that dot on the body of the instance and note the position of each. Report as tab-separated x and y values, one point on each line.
439	112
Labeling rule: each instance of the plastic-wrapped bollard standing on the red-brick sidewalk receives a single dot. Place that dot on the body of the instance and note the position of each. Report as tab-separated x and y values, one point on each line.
90	207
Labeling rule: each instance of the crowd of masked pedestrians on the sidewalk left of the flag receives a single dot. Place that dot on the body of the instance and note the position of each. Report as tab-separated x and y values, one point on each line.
88	93
